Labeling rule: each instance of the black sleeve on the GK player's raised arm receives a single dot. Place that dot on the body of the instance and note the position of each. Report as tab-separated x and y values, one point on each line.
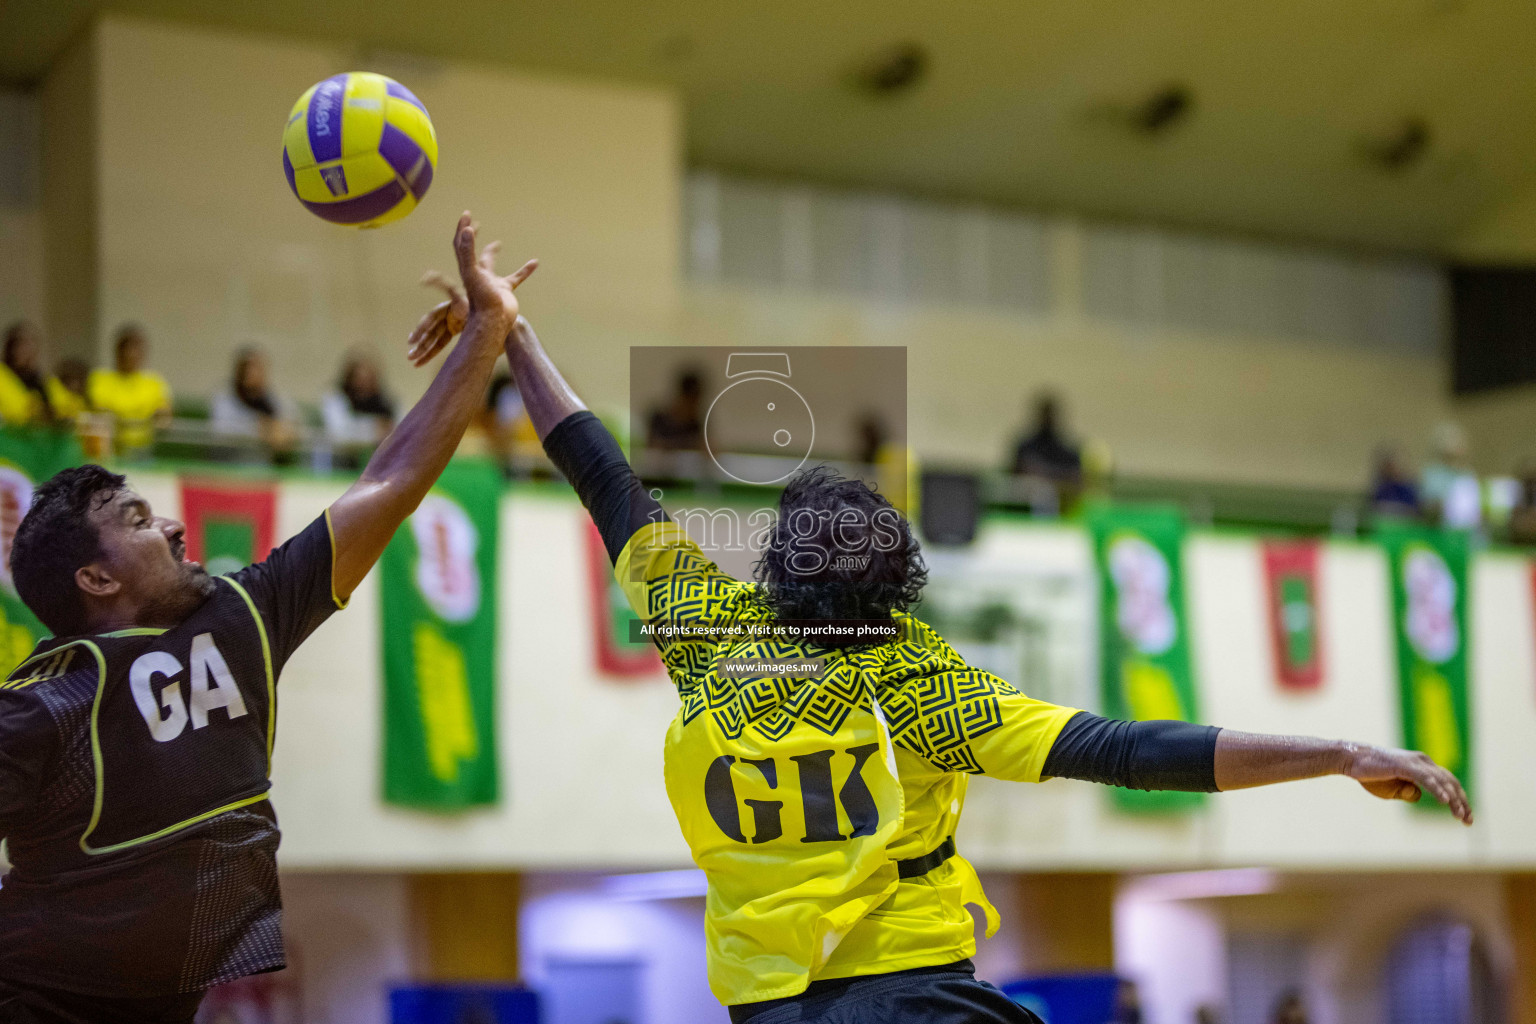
583	449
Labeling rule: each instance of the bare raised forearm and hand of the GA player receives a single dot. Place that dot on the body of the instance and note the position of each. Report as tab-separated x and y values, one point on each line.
409	461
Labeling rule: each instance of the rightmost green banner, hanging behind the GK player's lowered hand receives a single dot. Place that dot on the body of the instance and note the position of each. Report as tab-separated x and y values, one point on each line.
1429	612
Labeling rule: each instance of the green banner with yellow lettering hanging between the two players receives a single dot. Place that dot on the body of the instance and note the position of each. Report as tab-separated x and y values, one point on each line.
439	580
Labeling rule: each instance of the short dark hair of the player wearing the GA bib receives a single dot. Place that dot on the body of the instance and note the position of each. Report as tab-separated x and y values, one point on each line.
55	540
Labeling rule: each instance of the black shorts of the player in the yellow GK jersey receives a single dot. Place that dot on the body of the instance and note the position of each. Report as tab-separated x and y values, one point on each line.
924	996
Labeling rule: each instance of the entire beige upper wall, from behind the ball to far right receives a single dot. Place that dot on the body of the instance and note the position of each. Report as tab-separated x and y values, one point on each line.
165	205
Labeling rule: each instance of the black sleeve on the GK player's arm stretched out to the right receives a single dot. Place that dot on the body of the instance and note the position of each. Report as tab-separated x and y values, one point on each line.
1136	755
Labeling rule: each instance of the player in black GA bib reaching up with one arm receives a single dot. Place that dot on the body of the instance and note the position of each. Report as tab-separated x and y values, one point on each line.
136	744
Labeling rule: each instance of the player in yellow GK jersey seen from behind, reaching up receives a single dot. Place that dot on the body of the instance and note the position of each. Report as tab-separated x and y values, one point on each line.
819	785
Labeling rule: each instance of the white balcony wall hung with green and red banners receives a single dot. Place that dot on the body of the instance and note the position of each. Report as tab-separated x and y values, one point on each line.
581	753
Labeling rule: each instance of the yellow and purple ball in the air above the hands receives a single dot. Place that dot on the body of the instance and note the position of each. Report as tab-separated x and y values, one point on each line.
360	150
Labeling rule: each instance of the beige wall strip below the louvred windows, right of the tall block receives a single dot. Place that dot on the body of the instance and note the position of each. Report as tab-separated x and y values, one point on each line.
1180	406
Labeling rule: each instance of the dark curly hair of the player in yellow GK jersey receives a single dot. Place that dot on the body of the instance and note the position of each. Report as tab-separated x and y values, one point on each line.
839	550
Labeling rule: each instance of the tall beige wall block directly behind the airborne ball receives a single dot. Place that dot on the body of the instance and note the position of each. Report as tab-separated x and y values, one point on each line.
202	240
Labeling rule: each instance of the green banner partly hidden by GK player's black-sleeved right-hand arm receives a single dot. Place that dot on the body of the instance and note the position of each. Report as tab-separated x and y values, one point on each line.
1145	664
